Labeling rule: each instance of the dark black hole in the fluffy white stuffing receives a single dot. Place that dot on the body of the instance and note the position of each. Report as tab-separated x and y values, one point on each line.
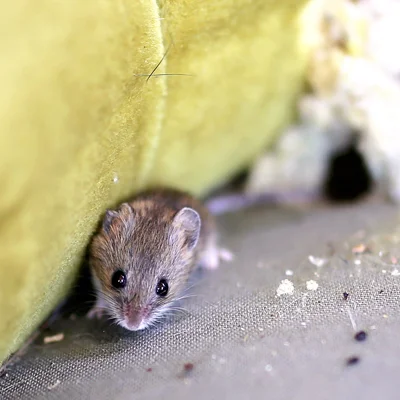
348	177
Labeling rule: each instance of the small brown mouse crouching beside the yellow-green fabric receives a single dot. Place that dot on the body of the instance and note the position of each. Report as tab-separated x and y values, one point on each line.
144	252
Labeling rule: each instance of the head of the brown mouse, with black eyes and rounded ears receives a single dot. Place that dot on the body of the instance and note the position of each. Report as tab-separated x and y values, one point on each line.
141	259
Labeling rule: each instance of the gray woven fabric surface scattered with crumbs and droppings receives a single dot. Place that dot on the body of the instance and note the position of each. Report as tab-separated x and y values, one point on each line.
243	340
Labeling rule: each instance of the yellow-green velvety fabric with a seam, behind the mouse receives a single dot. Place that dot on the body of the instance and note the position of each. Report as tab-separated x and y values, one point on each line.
80	128
